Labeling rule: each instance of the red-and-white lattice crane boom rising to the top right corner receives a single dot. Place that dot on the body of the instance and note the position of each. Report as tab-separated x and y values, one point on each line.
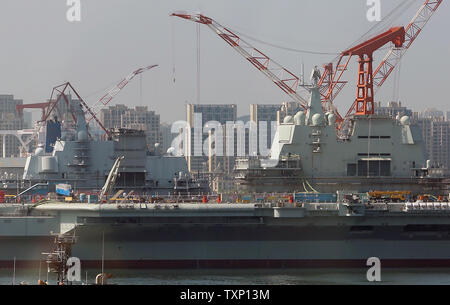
413	30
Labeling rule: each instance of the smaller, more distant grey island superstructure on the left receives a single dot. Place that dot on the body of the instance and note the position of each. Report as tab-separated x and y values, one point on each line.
84	163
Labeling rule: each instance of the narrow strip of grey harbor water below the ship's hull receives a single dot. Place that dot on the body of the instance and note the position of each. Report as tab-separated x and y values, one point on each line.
422	276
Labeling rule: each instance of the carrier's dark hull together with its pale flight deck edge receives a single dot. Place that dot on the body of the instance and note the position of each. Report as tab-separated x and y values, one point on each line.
235	236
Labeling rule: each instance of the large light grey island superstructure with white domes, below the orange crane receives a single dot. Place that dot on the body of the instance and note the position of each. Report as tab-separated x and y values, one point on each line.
374	153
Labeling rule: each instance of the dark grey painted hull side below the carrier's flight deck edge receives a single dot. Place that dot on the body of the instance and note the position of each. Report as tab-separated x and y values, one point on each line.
286	244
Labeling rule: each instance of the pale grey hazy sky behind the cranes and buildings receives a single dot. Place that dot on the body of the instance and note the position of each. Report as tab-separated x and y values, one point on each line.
41	49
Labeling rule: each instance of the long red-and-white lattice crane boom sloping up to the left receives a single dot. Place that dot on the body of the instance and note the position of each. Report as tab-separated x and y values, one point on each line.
283	78
